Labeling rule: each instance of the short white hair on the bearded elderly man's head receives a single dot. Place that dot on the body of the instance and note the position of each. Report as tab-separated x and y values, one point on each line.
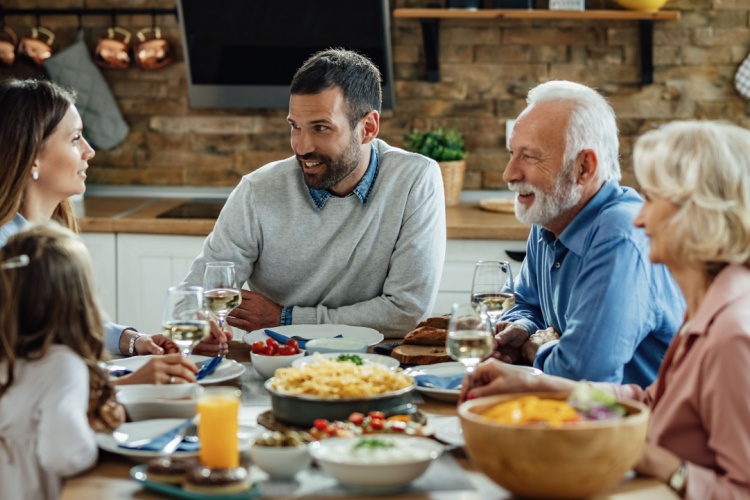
592	124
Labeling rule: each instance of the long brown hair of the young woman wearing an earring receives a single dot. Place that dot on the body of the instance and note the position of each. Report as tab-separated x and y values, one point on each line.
31	110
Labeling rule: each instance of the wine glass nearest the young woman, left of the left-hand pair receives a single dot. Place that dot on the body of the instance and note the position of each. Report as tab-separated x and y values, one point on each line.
185	319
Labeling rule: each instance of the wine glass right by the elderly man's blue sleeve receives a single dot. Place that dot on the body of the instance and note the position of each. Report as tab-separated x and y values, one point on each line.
493	287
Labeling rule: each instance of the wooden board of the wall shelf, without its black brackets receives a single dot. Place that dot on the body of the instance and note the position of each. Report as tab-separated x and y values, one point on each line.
614	15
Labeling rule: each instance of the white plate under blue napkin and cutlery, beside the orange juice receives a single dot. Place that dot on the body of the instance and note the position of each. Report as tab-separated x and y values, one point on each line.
152	428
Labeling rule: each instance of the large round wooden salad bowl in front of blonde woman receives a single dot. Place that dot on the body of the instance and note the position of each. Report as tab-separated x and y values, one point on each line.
577	460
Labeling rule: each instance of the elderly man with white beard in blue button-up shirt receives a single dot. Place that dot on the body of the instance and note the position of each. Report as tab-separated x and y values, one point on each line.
589	304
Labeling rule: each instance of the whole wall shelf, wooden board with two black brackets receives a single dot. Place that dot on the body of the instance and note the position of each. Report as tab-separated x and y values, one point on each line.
430	19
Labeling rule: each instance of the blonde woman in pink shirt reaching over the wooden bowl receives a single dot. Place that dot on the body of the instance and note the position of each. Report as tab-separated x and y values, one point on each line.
695	178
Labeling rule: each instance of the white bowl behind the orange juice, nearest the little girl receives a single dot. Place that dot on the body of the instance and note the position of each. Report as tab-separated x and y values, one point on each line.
147	401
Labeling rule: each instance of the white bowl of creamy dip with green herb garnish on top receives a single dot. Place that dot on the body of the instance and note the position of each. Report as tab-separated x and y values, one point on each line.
407	460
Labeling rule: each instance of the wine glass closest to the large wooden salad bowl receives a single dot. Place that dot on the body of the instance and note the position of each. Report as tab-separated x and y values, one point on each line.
469	336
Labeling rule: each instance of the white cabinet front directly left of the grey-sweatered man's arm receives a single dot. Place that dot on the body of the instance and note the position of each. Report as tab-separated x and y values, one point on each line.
148	264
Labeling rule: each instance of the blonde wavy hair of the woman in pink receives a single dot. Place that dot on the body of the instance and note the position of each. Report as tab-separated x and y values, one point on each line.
703	167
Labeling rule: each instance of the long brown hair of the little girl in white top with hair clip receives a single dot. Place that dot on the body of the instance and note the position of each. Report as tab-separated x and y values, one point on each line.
48	301
